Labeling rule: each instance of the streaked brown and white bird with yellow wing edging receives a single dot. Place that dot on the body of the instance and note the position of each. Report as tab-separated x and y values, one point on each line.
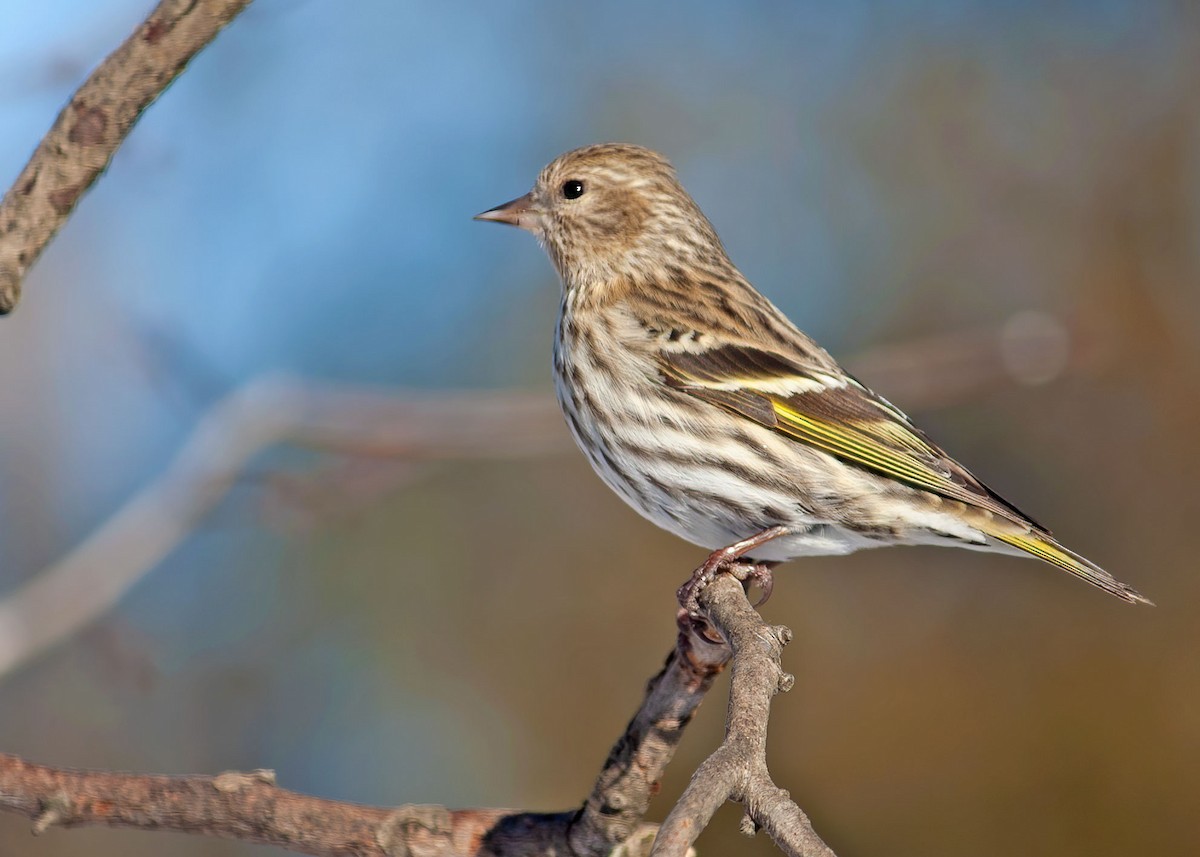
710	413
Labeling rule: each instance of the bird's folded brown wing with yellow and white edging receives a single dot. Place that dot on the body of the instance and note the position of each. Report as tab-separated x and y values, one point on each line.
832	412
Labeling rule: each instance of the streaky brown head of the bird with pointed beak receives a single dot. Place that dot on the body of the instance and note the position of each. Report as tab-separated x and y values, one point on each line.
613	212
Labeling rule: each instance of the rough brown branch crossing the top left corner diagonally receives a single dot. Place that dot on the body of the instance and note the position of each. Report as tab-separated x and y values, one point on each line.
91	129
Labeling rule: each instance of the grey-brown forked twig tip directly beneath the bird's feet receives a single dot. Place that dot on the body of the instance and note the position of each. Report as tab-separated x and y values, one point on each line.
737	770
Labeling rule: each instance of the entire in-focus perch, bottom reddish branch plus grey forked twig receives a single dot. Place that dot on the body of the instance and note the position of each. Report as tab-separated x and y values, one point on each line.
251	807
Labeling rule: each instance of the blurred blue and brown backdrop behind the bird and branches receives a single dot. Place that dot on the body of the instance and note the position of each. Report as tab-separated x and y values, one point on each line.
907	181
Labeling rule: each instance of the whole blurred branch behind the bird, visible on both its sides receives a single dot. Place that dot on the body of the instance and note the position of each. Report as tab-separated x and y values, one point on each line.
88	582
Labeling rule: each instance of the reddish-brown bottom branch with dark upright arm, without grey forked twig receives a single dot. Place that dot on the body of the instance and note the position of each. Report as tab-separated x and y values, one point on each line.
253	808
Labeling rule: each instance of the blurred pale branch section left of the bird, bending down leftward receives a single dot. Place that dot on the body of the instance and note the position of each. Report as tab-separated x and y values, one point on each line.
88	582
